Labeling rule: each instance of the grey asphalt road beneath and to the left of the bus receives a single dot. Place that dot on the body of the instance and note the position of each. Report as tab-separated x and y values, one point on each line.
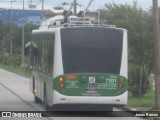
15	95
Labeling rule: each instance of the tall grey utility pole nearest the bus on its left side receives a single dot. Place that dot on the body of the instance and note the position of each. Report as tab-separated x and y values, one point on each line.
22	56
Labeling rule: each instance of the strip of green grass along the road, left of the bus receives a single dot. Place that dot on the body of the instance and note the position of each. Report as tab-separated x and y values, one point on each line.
18	70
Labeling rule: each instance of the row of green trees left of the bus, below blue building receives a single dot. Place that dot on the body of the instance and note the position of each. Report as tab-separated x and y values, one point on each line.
16	38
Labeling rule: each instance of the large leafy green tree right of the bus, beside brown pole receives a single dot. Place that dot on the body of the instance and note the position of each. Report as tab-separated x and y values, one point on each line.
138	24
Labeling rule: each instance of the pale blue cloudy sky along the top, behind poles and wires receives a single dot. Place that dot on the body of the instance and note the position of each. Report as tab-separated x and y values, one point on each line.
49	4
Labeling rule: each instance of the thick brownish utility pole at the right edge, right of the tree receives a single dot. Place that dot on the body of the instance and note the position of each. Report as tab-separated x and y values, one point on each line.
156	53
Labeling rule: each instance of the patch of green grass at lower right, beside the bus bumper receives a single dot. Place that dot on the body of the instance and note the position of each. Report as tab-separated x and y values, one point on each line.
147	101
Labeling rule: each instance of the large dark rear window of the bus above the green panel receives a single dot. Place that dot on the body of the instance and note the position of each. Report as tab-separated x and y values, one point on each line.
91	50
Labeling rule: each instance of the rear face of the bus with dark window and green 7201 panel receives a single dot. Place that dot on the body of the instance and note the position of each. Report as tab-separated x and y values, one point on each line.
90	68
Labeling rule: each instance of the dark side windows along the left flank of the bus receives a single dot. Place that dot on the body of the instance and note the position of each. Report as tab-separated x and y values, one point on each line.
42	58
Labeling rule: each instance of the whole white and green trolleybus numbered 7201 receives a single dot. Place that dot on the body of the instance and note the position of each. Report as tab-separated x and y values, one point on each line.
79	65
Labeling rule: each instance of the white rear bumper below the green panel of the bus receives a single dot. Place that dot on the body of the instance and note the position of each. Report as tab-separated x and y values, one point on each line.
109	100
